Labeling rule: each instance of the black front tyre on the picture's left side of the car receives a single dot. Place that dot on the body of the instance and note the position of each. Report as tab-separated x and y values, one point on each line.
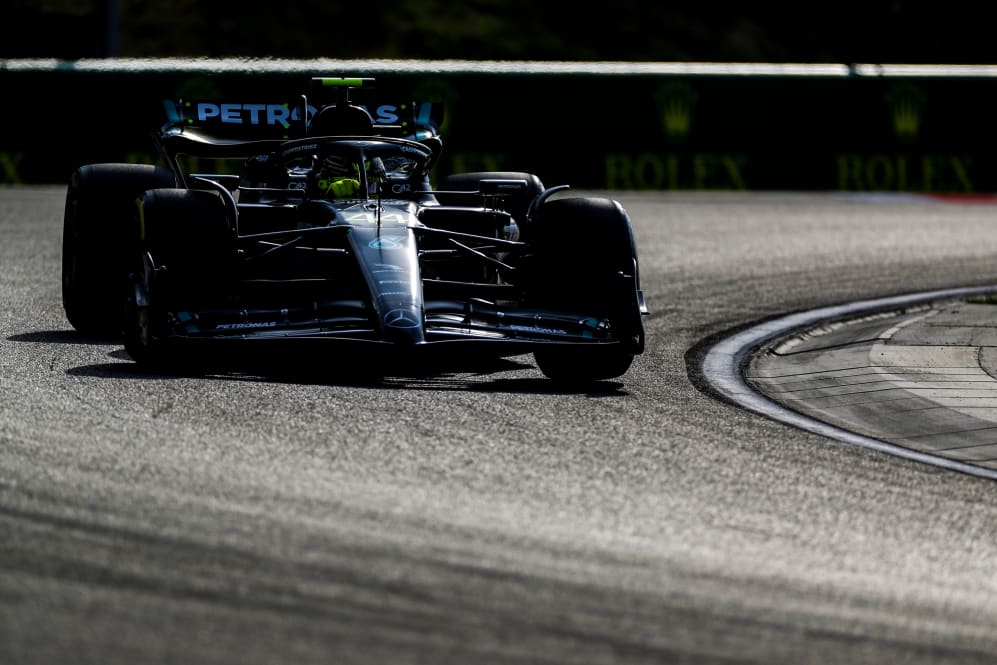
184	259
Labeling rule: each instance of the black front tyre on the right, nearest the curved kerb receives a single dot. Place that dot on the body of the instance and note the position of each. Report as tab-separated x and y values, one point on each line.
585	259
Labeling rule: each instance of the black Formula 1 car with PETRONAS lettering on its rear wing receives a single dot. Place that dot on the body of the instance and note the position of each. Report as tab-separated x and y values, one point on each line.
323	227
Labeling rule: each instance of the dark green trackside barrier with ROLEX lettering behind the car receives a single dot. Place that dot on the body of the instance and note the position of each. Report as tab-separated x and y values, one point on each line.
614	126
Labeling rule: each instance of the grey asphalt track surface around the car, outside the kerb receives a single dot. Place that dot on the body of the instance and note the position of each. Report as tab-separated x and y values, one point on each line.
483	516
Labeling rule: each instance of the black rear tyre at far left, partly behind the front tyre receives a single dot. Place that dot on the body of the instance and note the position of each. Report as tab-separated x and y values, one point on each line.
98	240
